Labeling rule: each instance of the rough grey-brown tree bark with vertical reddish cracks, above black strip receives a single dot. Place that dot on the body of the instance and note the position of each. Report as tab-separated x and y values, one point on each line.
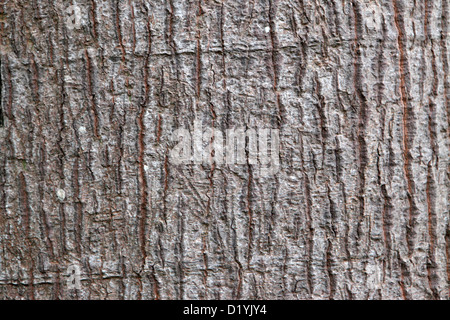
358	89
